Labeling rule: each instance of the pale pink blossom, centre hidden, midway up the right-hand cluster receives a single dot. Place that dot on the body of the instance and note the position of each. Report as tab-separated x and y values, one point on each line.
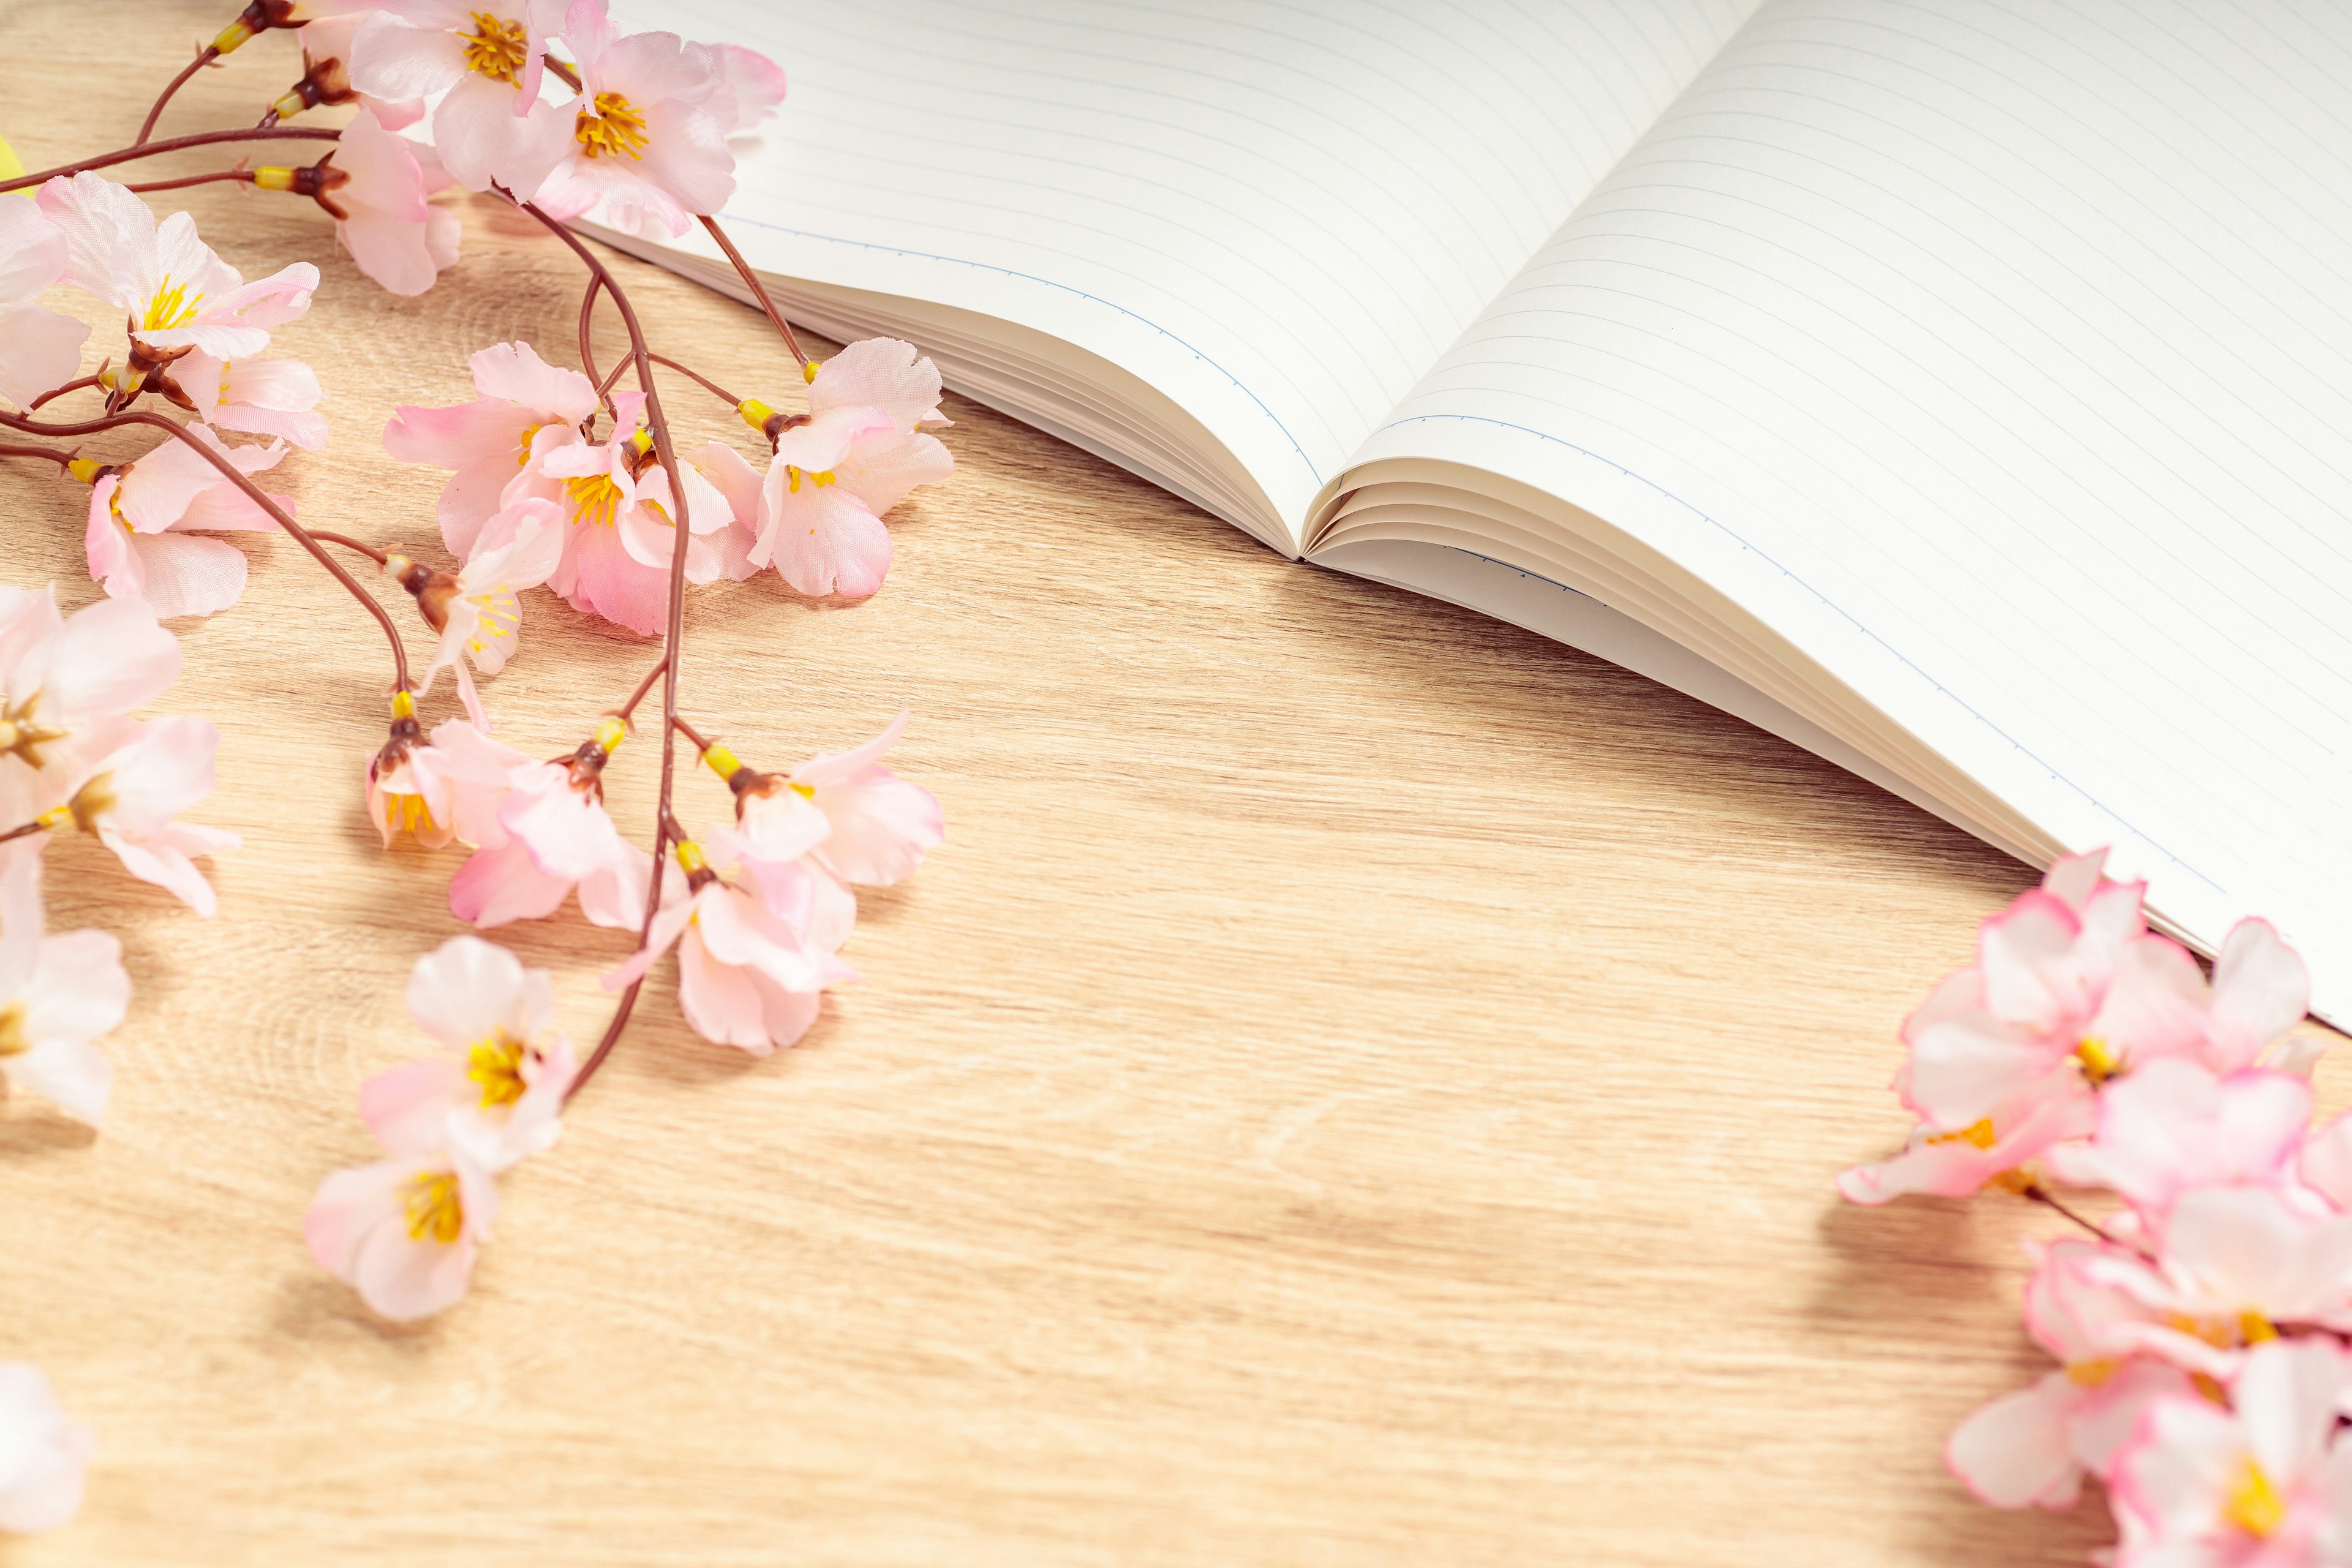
2177	1125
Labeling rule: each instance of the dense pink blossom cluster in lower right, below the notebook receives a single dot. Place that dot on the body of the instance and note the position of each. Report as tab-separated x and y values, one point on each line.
2203	1327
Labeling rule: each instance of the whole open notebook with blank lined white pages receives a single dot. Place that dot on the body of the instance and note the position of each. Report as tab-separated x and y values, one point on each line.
1960	389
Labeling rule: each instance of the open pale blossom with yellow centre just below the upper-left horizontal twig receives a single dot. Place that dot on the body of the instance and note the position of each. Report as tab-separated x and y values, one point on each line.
173	288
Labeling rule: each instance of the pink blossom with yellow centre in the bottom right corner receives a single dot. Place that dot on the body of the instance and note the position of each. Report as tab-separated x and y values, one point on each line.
2261	1485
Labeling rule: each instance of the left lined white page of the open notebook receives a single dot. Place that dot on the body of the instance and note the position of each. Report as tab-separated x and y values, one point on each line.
1274	210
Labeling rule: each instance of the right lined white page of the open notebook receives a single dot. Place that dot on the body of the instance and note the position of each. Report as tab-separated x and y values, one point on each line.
2000	356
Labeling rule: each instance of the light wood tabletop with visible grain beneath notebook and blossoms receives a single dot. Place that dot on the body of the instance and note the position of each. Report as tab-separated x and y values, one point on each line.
1361	1085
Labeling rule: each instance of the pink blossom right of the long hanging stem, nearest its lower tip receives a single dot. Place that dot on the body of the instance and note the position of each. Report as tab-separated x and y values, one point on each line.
754	946
